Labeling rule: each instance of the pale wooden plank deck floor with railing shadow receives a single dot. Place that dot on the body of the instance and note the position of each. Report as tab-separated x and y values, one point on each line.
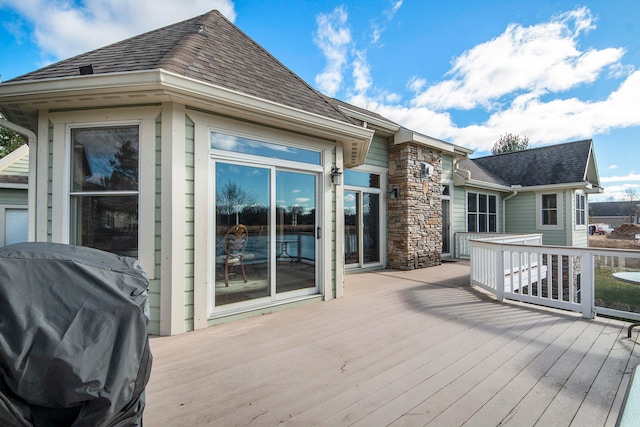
400	348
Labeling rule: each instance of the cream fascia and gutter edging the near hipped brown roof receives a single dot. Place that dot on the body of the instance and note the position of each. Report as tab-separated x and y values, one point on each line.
161	85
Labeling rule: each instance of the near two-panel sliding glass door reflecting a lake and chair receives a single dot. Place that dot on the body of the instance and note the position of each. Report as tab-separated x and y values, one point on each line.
266	233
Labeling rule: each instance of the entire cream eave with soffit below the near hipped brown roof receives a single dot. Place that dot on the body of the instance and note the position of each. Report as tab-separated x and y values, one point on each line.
21	101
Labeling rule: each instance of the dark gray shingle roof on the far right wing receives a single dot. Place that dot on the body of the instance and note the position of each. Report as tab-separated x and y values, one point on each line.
553	164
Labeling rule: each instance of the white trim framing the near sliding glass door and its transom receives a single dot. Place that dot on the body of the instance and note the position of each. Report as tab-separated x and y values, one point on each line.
204	195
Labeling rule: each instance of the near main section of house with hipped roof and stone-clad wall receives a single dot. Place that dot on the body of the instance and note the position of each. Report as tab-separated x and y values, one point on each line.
240	188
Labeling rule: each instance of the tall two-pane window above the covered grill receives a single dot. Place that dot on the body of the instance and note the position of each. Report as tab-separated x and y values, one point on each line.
105	187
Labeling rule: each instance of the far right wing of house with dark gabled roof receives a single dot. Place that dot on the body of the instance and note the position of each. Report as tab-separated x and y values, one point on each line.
499	193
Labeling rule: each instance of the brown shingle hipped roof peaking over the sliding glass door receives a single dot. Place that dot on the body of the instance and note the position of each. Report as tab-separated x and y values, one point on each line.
207	48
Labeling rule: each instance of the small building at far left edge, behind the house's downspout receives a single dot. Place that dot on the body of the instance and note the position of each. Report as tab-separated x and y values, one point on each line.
14	177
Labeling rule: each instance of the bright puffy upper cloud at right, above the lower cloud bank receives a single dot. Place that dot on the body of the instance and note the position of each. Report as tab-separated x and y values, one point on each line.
541	58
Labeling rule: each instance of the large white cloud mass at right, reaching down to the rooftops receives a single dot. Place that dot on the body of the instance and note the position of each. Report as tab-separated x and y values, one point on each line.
518	80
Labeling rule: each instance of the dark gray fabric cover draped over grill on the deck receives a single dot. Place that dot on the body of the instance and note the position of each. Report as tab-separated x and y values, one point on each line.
74	349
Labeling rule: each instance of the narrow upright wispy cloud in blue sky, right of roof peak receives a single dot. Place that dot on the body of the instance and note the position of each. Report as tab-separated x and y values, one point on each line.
333	37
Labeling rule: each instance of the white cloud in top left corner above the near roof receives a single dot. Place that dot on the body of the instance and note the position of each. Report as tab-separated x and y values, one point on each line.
63	29
